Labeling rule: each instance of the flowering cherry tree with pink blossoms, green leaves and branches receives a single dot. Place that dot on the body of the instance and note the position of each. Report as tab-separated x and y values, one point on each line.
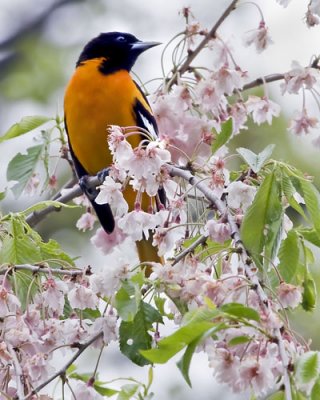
233	262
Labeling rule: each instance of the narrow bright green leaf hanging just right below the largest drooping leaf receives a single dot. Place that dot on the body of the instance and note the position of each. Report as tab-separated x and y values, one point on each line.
289	256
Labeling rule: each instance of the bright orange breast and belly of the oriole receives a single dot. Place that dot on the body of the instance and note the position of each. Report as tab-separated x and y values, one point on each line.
92	102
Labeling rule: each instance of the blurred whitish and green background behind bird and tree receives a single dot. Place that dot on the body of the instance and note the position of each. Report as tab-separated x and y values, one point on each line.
39	45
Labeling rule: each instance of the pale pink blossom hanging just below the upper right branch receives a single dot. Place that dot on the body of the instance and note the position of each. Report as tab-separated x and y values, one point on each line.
262	109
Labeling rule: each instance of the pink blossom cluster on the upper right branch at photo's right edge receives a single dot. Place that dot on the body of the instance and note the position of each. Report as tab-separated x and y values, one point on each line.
299	77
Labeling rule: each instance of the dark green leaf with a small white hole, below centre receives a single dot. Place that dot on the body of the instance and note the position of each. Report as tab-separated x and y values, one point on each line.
134	335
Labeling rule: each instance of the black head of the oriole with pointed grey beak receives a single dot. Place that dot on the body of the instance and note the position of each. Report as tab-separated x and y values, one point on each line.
120	50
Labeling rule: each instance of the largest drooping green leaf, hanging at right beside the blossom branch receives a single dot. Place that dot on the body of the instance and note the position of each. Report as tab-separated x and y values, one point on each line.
261	222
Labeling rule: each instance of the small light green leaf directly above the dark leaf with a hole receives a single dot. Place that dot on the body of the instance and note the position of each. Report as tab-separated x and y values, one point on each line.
127	300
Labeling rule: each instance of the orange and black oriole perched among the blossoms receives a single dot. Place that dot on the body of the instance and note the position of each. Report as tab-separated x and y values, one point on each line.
101	92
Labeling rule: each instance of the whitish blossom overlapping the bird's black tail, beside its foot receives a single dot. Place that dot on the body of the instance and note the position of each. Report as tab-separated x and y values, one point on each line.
110	192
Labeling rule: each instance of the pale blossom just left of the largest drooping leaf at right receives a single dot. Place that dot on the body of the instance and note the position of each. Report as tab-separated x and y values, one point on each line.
240	195
